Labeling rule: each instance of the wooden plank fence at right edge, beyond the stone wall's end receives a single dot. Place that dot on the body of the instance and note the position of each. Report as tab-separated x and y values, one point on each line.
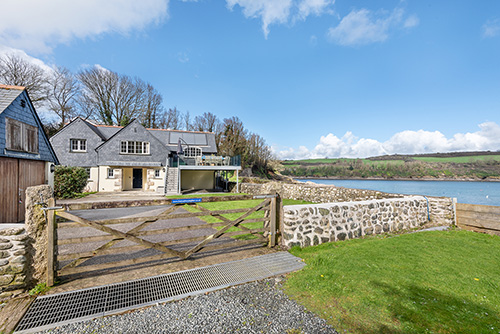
479	218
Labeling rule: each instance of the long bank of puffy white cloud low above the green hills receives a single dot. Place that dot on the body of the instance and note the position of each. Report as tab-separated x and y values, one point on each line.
405	142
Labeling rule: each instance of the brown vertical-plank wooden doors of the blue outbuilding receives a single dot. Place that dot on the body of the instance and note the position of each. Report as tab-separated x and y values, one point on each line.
17	175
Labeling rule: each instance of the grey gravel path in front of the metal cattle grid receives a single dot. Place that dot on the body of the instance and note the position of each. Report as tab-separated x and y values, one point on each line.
258	307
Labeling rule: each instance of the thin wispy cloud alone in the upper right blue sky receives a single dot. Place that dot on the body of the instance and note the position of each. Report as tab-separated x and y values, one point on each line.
363	26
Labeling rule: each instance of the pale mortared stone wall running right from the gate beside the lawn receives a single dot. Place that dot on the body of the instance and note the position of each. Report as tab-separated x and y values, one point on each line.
309	225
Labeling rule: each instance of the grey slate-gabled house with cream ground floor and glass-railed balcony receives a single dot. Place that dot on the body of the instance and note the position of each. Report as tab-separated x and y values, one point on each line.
135	158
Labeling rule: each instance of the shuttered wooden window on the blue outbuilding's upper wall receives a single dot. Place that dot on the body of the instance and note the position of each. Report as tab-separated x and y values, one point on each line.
21	136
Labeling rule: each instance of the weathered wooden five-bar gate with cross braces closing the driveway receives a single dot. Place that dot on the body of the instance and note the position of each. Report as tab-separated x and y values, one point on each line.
257	223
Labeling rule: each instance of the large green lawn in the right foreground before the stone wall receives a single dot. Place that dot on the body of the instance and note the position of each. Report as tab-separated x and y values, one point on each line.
429	282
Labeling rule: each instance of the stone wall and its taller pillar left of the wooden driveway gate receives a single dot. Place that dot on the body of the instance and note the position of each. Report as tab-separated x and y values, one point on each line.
23	250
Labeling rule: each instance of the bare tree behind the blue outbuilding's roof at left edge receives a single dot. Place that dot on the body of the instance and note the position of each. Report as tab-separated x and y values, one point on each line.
17	71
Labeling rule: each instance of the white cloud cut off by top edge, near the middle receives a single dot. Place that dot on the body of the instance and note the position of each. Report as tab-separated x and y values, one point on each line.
280	11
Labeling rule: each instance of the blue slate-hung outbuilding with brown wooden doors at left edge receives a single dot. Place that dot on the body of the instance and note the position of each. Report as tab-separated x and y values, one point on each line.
26	156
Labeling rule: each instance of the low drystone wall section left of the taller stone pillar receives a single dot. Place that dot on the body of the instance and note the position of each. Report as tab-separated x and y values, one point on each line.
14	268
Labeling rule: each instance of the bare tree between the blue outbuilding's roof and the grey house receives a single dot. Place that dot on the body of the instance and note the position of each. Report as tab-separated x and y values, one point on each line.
63	90
